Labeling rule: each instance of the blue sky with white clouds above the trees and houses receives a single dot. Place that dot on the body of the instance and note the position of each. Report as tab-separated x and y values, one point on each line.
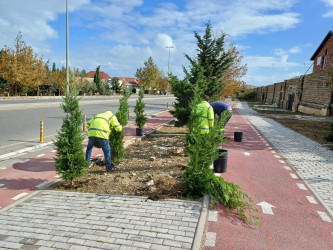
276	37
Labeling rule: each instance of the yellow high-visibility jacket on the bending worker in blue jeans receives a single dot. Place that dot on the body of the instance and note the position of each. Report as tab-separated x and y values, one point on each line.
100	125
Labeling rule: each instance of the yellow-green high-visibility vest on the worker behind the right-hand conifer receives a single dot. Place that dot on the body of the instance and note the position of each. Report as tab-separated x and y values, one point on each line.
206	119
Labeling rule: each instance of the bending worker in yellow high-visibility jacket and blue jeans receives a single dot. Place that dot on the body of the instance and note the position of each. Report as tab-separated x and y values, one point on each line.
99	129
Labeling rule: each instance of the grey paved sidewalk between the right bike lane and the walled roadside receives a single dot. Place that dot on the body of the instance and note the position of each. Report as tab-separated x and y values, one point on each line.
312	161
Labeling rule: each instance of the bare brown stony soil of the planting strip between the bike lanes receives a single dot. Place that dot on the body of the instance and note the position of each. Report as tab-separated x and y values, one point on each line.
153	167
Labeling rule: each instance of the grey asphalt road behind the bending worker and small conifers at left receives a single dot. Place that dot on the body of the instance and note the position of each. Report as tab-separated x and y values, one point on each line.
20	118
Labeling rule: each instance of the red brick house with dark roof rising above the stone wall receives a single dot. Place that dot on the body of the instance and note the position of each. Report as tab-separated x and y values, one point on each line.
323	56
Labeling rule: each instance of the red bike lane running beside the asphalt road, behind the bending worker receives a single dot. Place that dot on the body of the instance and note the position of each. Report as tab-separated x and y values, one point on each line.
31	175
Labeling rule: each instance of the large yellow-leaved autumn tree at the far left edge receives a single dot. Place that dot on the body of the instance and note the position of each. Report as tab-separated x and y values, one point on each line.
21	67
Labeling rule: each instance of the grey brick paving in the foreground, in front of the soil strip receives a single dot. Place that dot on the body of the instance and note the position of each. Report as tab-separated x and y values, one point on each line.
68	220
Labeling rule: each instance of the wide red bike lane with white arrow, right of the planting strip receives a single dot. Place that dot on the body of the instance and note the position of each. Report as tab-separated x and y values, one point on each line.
289	217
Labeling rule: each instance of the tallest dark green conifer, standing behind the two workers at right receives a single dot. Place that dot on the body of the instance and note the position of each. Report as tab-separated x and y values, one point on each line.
206	69
